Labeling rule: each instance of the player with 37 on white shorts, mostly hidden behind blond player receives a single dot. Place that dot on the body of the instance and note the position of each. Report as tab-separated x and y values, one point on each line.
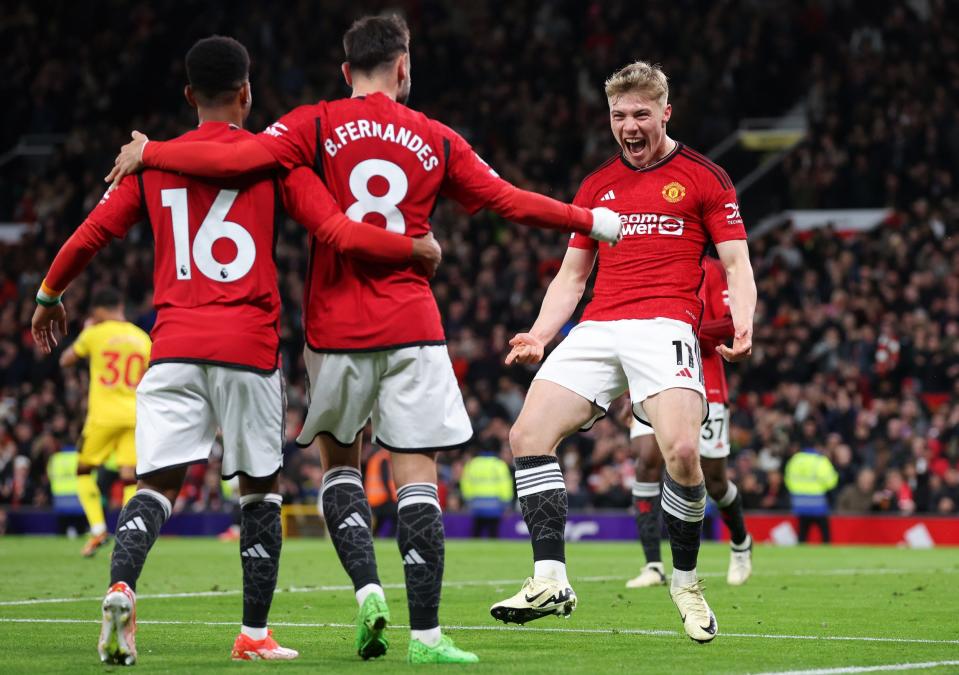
716	327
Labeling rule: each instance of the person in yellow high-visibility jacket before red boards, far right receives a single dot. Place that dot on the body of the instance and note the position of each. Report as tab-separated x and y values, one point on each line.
809	477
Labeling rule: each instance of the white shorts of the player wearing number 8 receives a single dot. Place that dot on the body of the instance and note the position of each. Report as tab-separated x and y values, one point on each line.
411	394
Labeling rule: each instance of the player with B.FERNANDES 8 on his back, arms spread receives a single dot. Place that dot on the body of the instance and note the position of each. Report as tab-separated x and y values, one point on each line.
375	343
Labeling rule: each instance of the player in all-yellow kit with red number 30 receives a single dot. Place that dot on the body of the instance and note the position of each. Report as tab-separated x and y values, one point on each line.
118	352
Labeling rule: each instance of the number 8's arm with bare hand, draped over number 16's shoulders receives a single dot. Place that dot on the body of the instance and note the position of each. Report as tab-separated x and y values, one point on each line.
197	158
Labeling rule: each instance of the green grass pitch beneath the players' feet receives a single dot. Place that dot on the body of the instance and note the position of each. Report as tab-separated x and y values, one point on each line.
821	593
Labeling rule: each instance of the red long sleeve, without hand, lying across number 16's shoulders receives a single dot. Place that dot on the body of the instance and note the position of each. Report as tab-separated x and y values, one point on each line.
208	158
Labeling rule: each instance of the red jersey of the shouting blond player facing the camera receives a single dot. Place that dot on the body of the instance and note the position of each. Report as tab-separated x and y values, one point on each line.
670	211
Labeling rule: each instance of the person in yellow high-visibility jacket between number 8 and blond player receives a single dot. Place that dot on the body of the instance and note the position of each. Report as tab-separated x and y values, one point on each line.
487	488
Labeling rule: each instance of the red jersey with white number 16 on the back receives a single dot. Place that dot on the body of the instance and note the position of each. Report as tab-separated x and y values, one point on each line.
214	277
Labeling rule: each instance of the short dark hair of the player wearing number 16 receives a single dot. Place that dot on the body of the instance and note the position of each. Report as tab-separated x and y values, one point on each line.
216	67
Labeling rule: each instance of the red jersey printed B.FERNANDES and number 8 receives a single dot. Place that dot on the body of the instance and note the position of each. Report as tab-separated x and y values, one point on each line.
385	164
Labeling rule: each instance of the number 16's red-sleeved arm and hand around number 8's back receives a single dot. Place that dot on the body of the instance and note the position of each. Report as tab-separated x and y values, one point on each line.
309	202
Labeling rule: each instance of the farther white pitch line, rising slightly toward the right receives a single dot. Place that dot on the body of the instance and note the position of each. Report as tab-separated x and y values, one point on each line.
449	584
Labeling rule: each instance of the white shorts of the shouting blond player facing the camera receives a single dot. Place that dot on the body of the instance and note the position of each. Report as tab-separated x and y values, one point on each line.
600	360
